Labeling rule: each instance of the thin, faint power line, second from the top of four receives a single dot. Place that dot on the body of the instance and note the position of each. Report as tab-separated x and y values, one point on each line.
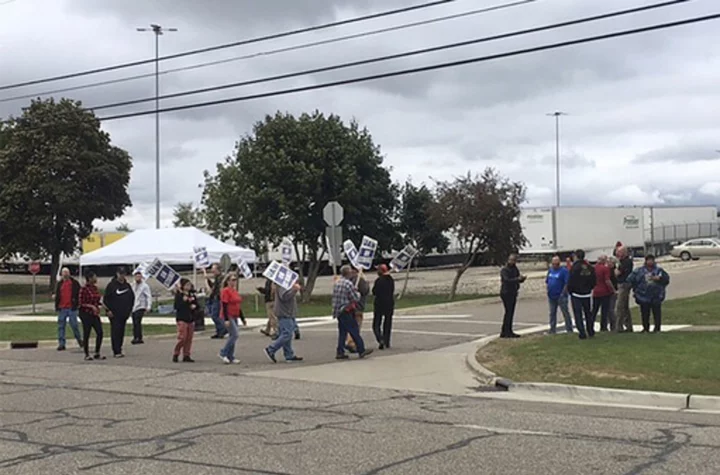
273	51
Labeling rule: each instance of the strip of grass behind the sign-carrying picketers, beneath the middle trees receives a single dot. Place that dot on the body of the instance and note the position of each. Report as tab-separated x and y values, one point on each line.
319	306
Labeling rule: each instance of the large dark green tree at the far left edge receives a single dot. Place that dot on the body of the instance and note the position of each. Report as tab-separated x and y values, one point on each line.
59	172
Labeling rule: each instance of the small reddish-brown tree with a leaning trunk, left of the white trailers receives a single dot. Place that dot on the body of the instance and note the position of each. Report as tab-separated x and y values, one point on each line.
483	214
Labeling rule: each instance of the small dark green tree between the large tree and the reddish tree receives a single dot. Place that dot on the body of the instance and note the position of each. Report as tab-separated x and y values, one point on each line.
417	226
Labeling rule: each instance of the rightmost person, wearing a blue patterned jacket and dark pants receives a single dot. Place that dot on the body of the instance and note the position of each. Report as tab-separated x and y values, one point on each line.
649	283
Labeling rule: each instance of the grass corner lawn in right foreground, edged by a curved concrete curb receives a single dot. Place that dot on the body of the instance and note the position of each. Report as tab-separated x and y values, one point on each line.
673	362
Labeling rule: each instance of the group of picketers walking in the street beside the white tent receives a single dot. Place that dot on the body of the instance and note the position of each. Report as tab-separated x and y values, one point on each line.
123	300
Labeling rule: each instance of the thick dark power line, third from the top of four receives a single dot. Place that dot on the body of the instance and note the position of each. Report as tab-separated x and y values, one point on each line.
433	49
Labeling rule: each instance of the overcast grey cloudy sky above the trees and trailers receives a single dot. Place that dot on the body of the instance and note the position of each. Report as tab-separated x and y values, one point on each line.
644	111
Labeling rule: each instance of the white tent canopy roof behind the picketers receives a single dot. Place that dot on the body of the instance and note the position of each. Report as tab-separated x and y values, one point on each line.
170	245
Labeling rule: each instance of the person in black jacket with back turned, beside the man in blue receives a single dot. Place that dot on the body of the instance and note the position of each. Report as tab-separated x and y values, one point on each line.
580	286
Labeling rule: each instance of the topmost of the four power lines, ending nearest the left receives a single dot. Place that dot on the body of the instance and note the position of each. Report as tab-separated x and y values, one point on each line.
208	49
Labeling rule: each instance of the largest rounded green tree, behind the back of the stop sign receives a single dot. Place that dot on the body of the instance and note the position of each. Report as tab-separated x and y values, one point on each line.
280	177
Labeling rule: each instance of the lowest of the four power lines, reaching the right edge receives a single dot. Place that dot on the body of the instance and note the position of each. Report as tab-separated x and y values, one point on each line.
434	67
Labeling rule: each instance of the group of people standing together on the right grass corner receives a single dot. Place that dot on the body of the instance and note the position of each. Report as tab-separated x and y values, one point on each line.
587	289
